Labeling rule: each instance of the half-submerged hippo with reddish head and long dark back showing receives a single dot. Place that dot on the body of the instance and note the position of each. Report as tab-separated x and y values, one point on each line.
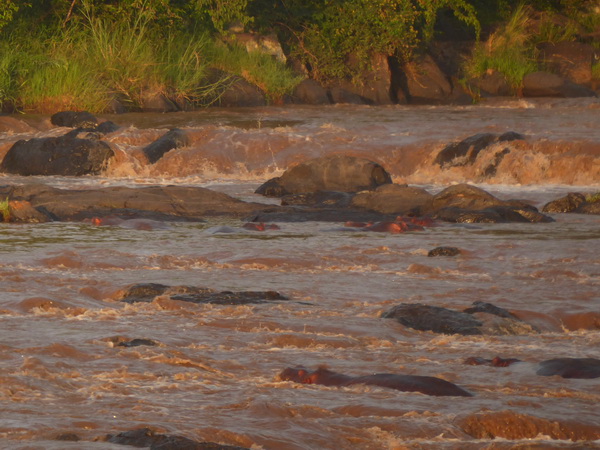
406	383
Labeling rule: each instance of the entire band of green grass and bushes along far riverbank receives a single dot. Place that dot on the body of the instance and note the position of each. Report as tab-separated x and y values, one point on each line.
87	54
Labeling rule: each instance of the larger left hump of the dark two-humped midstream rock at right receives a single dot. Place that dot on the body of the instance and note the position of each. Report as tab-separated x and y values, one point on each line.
433	318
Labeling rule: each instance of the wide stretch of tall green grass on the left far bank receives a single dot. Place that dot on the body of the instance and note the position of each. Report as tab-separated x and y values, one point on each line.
97	60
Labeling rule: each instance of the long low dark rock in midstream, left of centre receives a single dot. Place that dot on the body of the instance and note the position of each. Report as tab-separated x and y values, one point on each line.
147	292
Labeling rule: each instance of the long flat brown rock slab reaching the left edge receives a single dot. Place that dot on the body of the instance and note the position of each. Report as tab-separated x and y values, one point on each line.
167	203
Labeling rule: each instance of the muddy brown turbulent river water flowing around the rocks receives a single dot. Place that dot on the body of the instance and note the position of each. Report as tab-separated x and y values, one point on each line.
213	375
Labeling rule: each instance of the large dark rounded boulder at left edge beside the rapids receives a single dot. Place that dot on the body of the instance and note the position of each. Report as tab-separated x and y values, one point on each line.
62	155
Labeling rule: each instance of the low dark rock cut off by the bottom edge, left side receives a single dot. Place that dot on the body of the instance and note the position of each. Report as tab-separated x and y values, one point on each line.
148	438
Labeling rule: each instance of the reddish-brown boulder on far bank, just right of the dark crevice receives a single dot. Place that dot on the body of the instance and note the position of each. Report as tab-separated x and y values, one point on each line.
425	82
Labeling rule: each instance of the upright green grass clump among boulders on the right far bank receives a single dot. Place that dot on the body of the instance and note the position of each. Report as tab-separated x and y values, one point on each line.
507	51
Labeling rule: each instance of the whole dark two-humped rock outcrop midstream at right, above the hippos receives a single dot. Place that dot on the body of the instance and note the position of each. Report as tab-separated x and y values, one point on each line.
481	319
